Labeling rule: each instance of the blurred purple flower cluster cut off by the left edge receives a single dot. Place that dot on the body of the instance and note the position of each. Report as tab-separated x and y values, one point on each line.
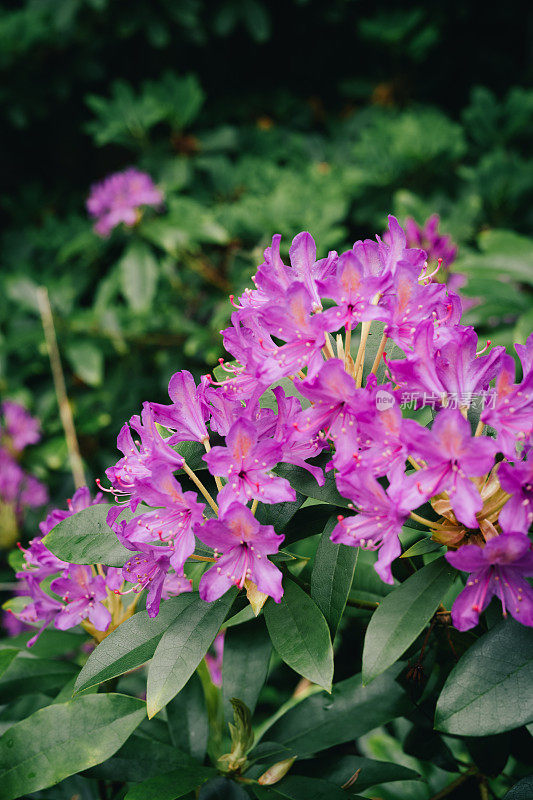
18	489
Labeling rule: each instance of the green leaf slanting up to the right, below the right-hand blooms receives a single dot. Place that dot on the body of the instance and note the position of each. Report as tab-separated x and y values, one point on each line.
402	616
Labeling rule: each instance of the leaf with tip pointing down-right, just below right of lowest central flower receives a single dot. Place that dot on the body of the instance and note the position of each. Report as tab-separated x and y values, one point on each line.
300	635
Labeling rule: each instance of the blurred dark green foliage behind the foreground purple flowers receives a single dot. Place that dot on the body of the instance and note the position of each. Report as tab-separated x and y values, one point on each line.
253	118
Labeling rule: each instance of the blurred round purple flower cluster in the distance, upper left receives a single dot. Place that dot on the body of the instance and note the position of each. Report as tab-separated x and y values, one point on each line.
119	198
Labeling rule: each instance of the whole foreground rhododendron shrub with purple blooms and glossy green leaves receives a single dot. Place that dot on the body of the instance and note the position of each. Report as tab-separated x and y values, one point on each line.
355	478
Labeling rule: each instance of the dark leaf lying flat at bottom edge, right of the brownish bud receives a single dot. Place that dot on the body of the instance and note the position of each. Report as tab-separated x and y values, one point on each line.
339	769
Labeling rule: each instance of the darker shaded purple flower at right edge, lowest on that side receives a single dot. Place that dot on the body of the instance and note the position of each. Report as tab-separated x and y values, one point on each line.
497	570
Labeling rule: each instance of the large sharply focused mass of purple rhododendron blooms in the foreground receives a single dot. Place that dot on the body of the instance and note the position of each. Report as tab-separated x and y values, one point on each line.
344	410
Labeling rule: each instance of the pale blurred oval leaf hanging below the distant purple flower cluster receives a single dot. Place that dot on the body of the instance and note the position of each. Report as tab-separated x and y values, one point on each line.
139	271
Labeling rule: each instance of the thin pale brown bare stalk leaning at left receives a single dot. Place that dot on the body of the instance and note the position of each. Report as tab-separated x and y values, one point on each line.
65	411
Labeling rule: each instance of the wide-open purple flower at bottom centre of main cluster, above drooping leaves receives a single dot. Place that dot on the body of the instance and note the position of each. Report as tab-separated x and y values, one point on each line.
245	545
